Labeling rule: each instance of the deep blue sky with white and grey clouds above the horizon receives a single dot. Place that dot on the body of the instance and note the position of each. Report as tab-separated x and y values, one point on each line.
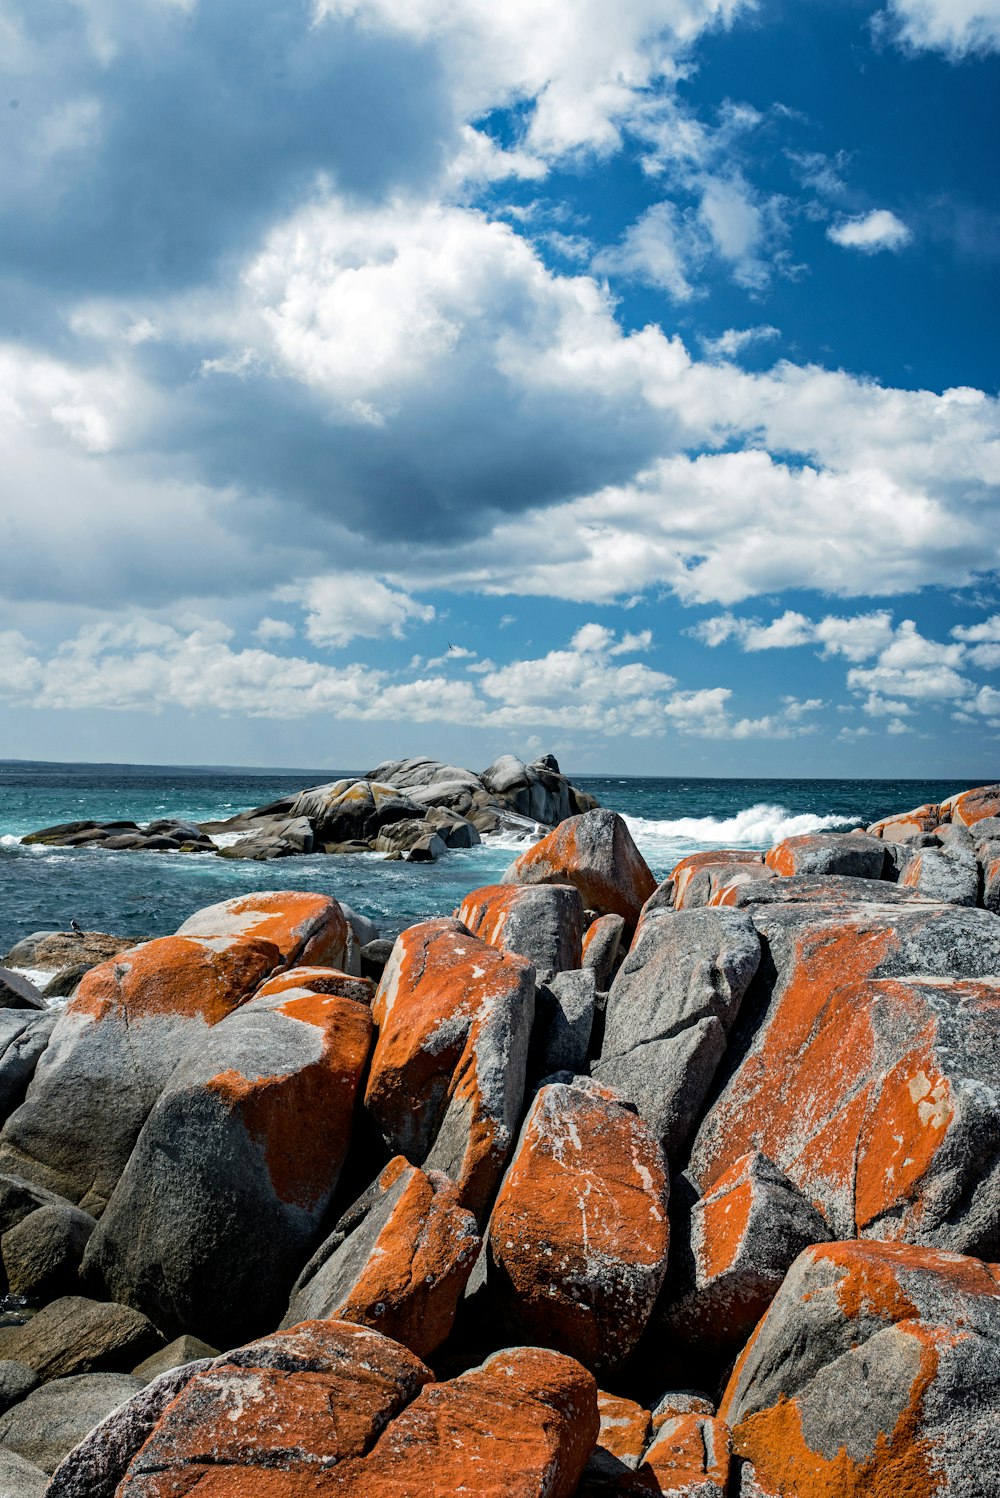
438	377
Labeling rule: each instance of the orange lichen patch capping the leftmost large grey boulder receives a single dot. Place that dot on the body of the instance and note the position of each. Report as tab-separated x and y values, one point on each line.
179	976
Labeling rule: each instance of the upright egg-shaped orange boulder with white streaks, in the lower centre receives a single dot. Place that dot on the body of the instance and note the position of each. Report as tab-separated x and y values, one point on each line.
579	1235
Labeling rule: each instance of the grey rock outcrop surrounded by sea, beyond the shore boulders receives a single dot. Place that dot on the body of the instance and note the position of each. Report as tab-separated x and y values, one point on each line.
412	810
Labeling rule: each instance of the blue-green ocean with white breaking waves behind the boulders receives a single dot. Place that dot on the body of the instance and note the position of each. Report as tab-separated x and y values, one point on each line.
150	895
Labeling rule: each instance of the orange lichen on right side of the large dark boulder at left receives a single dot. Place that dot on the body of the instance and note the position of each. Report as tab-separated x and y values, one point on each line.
302	1118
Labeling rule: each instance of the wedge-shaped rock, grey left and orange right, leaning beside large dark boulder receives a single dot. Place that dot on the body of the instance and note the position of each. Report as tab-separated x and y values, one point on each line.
399	1262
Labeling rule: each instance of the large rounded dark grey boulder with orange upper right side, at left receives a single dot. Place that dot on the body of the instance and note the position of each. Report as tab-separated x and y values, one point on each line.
236	1166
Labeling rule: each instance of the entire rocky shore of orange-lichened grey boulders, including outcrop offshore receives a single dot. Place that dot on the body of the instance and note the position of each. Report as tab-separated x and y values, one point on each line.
592	1187
